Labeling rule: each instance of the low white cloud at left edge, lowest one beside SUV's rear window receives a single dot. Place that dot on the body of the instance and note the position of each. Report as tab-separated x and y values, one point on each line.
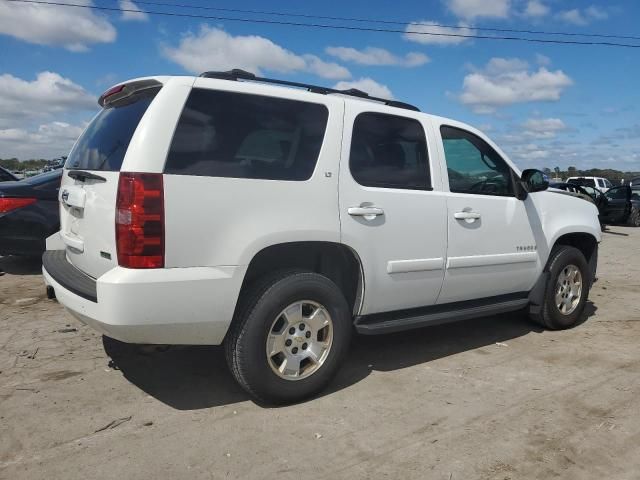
49	140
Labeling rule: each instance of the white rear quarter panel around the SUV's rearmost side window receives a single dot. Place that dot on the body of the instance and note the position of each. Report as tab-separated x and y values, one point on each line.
214	221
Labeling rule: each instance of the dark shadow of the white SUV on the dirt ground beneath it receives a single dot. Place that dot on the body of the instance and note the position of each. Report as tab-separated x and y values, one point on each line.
194	377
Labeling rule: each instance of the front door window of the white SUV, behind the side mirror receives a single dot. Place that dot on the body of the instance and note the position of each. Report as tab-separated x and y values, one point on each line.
473	166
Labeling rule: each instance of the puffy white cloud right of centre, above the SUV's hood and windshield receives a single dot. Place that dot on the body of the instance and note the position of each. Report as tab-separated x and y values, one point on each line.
507	81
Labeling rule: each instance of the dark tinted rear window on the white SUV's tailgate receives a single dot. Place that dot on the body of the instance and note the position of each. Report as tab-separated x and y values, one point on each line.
103	144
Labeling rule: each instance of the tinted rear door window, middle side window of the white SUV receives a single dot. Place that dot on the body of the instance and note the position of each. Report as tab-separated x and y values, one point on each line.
389	152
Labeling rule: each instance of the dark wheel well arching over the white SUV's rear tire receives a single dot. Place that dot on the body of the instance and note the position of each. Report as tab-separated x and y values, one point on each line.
333	260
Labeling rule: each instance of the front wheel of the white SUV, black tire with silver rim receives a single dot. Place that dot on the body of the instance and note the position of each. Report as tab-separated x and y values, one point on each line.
561	261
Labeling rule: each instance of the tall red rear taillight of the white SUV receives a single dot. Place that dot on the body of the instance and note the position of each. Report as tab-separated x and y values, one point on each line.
140	220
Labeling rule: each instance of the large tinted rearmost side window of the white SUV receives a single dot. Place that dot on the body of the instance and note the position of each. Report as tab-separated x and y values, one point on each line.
226	134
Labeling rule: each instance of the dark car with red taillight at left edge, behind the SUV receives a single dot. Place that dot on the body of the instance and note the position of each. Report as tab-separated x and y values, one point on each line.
29	213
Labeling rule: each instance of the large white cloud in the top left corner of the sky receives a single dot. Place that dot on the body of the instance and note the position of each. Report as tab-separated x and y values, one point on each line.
72	28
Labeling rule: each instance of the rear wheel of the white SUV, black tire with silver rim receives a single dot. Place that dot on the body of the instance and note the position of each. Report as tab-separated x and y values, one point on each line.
261	312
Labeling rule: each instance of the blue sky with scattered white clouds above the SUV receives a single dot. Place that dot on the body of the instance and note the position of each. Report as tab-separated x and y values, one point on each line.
546	105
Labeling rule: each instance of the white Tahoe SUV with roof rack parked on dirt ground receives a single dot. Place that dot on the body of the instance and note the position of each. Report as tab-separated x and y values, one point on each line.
223	209
